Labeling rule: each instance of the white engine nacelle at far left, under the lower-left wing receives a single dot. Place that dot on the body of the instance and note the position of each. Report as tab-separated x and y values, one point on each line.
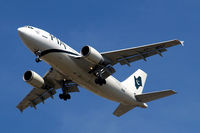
34	79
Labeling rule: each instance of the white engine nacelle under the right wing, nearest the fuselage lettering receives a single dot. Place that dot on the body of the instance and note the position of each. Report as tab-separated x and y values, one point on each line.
92	55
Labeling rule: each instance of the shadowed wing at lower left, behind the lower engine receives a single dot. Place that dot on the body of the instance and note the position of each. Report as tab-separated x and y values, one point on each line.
37	95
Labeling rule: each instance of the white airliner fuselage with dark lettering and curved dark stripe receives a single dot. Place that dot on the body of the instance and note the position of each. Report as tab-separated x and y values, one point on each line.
66	63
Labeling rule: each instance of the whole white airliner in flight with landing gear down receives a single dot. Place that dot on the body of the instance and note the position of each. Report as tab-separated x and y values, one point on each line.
89	69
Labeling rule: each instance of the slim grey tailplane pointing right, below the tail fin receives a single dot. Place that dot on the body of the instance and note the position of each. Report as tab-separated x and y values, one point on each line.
147	97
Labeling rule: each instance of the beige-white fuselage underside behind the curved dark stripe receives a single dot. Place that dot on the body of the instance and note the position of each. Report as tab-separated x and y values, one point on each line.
112	90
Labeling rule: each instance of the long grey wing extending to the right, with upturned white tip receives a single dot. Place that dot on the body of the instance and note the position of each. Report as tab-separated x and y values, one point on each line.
126	56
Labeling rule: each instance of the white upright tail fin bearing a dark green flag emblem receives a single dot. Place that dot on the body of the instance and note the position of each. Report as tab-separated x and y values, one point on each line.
136	81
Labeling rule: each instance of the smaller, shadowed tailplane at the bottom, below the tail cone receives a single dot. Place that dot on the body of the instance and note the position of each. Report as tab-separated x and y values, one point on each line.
122	109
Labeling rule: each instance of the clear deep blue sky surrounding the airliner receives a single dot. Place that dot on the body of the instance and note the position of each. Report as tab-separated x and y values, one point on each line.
105	25
